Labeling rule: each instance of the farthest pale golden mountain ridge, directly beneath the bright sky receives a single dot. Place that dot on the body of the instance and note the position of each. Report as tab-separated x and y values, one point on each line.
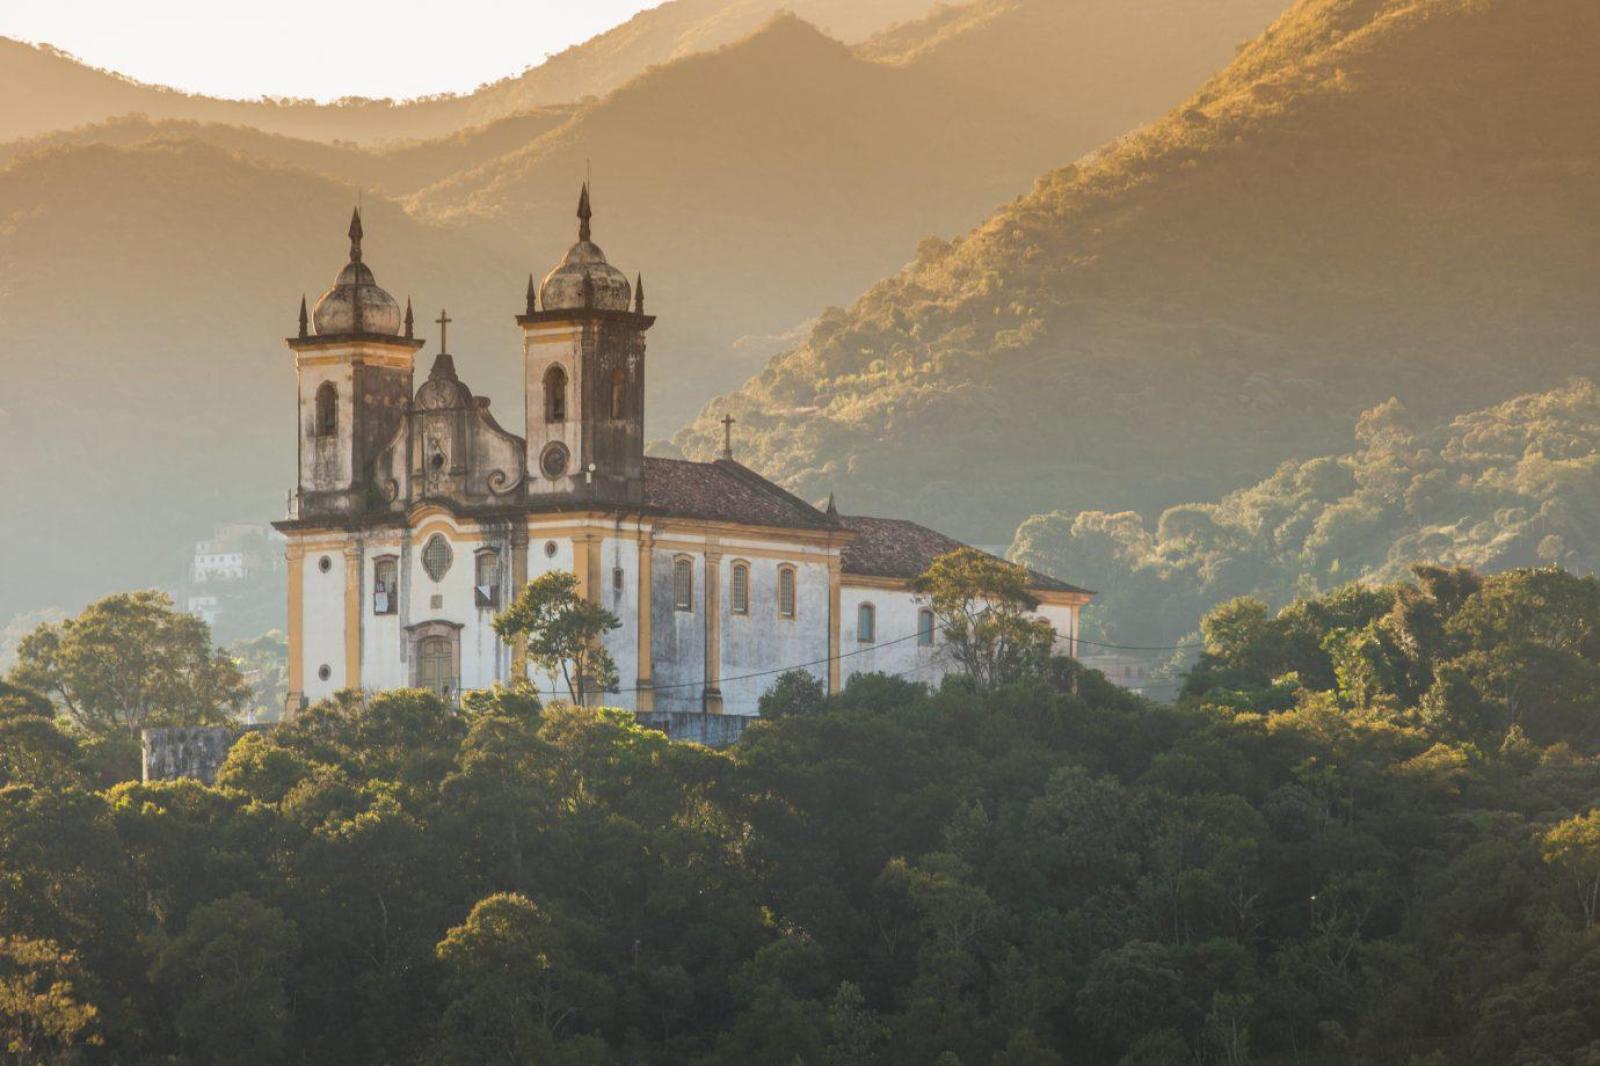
63	92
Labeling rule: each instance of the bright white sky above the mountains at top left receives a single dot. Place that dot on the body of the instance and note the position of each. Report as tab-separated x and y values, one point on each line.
321	49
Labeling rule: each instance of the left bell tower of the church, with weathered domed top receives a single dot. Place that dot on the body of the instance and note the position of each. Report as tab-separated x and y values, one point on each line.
354	361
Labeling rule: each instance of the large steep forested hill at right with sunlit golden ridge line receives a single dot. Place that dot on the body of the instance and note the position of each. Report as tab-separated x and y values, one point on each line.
1391	198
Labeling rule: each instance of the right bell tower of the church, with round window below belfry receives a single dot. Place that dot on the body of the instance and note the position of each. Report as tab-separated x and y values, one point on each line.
583	340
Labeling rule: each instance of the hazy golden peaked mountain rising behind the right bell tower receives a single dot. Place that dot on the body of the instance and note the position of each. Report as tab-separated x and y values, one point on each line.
785	174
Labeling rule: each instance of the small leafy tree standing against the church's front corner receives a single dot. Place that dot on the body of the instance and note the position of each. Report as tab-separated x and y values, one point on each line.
564	633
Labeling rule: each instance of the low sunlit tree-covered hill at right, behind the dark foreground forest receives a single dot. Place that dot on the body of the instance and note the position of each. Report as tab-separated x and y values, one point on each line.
1511	486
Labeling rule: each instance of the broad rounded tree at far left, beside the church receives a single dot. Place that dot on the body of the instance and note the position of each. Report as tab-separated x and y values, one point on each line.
127	663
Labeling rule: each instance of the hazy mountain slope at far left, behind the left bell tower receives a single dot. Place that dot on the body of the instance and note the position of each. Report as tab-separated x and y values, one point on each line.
145	299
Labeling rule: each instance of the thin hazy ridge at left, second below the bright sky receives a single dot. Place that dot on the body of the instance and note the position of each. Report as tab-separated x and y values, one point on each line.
396	169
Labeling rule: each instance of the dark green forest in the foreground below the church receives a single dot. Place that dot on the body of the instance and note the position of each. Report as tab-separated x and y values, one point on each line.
1367	835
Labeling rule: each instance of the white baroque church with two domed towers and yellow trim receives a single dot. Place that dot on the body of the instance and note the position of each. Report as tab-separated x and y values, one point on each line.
418	518
